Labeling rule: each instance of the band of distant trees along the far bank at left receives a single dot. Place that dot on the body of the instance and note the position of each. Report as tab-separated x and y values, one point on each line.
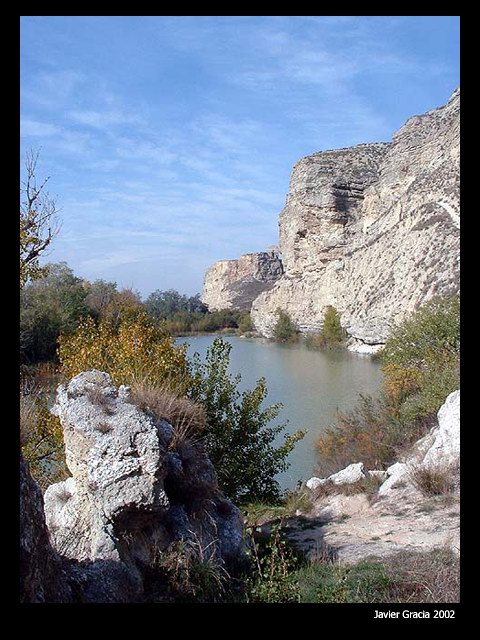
58	302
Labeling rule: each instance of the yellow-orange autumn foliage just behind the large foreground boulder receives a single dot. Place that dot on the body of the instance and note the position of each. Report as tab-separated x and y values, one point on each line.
135	351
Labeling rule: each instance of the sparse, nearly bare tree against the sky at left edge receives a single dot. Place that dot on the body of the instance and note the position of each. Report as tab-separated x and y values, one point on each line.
38	223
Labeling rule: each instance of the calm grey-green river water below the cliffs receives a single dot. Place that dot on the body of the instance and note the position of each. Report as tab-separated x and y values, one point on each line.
311	385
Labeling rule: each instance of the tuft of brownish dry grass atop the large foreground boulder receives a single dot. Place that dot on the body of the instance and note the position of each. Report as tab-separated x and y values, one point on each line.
187	418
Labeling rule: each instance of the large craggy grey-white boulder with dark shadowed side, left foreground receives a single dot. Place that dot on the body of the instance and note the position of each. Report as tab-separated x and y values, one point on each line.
132	493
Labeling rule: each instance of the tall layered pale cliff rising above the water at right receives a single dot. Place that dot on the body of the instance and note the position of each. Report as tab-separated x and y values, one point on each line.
372	230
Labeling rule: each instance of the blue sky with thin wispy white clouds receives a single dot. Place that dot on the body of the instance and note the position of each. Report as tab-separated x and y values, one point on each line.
170	140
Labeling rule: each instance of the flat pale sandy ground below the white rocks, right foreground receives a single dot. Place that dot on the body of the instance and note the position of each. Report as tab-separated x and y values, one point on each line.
350	528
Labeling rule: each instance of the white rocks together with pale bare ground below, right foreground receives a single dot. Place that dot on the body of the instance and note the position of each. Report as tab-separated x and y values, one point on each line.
402	515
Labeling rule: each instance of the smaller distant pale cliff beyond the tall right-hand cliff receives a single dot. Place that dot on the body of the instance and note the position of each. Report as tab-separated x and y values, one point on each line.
234	284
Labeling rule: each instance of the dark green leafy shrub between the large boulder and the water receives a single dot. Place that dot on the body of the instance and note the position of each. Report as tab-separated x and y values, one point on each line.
237	438
